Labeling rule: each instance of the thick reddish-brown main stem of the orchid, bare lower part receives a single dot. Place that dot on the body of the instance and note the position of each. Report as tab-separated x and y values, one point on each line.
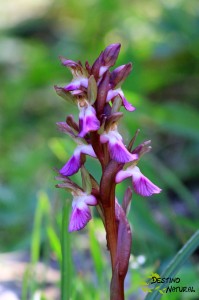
107	202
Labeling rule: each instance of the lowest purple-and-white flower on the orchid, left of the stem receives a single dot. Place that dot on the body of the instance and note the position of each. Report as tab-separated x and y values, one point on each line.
81	214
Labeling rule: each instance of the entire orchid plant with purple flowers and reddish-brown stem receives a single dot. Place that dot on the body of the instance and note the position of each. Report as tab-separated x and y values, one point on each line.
96	93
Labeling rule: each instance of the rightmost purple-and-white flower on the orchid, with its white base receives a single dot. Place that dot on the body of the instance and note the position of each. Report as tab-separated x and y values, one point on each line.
141	184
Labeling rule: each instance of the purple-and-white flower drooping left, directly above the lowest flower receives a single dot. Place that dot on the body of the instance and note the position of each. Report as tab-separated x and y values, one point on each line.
74	163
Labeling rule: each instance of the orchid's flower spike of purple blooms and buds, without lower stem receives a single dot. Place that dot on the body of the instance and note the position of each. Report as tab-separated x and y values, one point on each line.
96	91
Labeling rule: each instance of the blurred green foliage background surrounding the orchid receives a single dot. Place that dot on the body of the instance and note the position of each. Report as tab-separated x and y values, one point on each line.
161	39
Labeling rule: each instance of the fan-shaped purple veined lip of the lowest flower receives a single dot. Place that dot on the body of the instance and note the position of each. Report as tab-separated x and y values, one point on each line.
80	216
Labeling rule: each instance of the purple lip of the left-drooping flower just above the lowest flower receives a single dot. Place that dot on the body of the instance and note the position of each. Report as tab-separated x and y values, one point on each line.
72	166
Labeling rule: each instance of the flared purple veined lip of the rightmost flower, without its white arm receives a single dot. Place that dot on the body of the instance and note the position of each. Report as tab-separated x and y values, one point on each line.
142	185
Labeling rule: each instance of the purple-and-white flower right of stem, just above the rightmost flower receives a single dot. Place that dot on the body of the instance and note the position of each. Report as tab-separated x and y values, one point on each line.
116	147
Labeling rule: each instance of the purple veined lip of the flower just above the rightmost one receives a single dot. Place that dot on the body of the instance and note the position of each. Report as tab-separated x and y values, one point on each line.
119	152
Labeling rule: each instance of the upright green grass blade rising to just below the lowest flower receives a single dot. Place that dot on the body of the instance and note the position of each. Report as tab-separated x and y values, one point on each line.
66	255
